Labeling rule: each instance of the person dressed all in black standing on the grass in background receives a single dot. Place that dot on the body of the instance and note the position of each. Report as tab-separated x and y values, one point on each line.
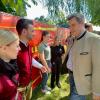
57	50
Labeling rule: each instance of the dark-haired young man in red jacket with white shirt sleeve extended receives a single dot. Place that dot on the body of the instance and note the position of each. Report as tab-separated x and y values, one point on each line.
25	61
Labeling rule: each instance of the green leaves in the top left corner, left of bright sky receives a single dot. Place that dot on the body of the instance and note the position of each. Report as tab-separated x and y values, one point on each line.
15	7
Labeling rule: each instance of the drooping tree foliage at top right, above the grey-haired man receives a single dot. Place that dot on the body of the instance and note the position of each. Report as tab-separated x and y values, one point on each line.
89	8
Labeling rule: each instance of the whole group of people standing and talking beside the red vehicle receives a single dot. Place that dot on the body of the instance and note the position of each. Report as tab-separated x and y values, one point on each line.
83	65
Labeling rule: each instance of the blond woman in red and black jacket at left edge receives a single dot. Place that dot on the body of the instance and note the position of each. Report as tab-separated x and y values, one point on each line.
9	47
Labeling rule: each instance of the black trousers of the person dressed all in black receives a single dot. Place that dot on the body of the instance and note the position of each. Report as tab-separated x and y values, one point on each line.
55	71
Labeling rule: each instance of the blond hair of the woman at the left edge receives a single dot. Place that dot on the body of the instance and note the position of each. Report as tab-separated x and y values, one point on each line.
7	37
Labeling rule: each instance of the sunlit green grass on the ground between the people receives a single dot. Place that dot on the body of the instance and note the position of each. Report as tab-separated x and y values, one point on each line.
56	93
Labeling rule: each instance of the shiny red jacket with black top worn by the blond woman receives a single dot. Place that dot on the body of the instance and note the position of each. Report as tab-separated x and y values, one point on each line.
8	81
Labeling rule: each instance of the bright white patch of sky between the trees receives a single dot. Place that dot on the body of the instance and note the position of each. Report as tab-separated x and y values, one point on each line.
36	11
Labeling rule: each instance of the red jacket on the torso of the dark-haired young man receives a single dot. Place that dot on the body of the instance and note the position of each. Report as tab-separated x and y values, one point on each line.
24	61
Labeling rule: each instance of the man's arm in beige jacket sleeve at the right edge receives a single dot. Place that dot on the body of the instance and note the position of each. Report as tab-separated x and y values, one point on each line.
96	68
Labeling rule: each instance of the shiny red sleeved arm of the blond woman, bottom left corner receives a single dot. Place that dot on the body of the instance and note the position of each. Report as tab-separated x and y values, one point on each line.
7	88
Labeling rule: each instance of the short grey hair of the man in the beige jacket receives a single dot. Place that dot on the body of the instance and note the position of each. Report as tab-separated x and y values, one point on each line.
79	17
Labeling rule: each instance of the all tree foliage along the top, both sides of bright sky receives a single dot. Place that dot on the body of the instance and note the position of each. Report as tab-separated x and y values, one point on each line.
90	9
